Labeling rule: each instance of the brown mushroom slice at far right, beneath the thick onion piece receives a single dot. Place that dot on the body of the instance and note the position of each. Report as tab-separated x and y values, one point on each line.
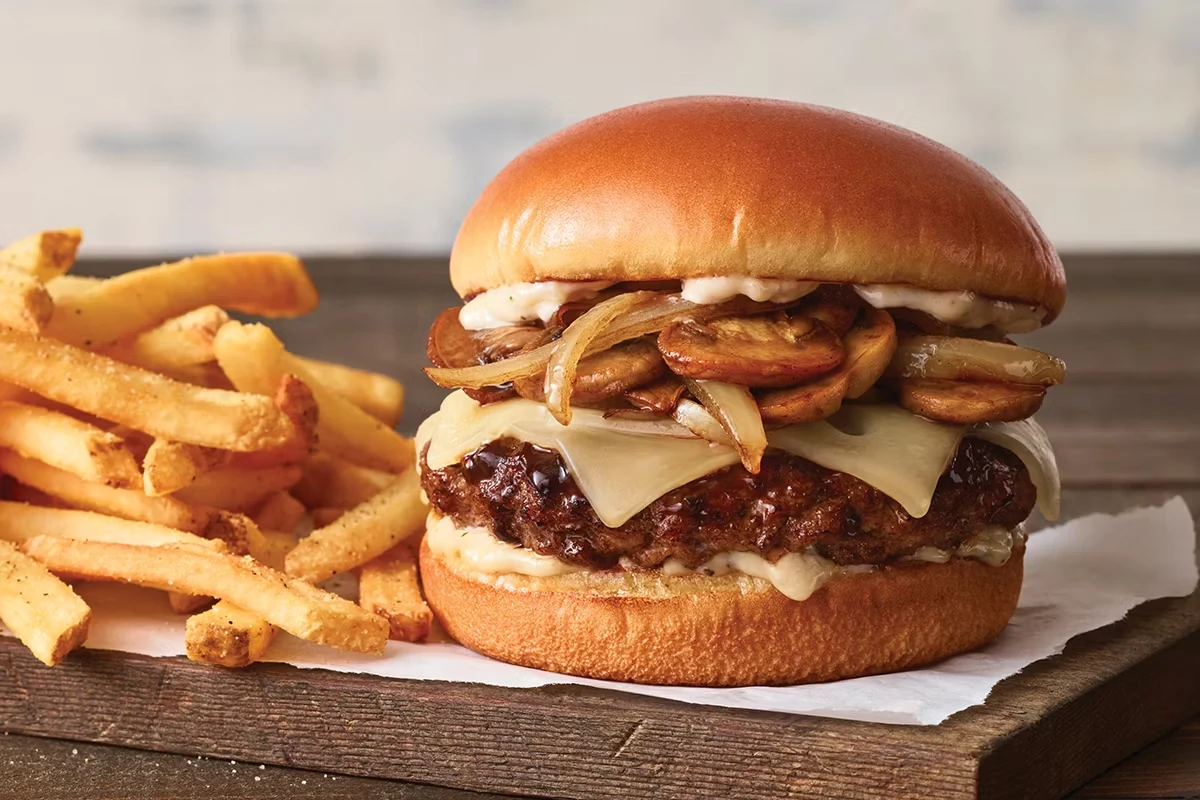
967	404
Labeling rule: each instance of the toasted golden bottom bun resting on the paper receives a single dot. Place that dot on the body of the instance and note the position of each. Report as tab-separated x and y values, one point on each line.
724	631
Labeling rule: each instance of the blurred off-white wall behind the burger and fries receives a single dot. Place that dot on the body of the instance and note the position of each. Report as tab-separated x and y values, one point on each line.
370	125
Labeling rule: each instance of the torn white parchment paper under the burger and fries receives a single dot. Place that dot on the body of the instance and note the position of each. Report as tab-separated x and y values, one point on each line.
1081	576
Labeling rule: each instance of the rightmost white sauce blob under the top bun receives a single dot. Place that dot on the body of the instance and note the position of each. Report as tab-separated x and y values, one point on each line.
962	309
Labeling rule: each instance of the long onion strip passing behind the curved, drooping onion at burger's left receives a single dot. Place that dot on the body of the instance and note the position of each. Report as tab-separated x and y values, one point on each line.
651	316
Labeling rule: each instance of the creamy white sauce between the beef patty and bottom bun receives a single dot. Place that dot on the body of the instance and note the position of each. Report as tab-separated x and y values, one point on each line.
796	575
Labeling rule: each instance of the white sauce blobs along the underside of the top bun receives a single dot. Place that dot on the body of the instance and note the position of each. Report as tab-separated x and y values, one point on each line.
526	303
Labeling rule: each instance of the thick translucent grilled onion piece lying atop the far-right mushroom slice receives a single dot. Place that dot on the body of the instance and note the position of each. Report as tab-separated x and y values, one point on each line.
952	358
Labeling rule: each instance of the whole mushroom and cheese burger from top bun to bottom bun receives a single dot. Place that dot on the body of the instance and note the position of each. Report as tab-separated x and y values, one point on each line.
736	401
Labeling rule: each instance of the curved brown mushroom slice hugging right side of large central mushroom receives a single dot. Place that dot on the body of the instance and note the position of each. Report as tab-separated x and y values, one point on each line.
869	350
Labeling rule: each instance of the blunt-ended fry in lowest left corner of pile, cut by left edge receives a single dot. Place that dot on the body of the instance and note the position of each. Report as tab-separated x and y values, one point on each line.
45	613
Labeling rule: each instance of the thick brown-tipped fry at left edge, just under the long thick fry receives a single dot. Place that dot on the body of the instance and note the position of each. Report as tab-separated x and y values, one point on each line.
69	444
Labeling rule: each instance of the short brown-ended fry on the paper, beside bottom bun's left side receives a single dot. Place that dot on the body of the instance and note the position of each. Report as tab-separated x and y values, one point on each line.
389	587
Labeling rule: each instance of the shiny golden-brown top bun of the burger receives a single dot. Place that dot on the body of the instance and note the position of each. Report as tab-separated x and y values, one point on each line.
734	187
